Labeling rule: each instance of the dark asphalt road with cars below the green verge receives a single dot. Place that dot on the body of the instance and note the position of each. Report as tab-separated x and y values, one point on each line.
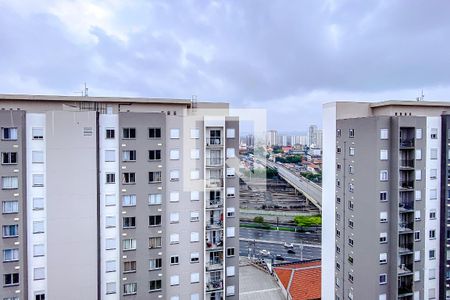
252	241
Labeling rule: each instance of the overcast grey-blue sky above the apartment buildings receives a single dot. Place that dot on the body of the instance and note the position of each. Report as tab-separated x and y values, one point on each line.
286	56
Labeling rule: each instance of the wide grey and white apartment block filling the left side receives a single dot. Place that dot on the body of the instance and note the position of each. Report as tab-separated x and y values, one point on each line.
118	198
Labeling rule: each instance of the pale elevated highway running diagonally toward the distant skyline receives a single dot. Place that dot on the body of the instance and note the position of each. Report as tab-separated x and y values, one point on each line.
312	191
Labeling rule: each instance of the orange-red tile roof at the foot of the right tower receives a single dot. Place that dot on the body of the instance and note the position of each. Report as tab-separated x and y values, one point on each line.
306	279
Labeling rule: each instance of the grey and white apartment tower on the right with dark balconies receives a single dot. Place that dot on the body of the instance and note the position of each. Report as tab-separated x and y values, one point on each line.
386	200
